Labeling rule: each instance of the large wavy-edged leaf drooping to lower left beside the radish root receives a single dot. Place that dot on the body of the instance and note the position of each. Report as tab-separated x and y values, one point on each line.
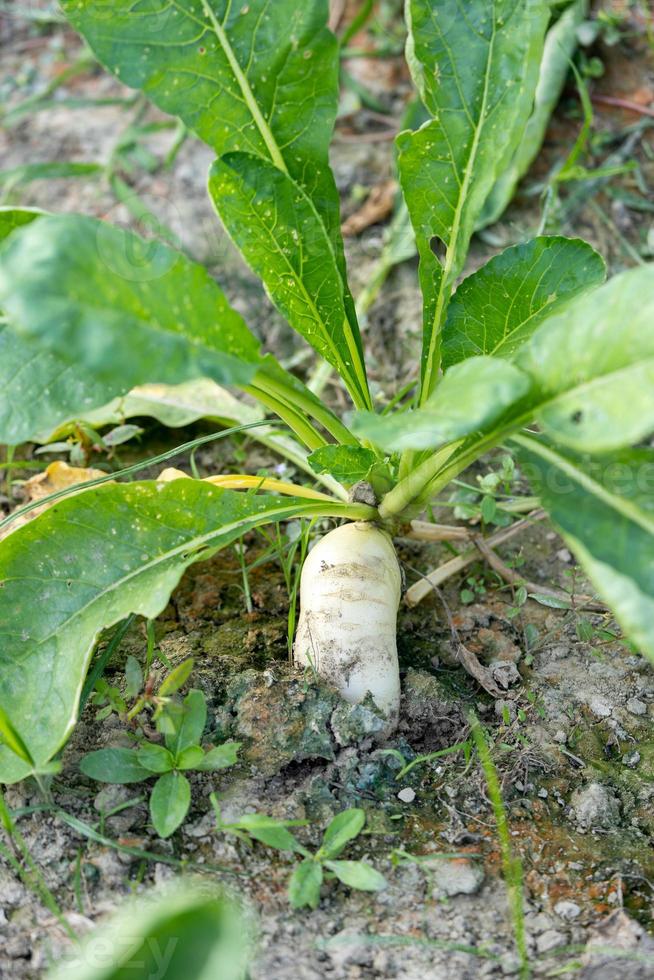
87	563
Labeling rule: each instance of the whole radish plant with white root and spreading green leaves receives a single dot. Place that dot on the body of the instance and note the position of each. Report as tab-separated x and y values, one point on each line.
533	351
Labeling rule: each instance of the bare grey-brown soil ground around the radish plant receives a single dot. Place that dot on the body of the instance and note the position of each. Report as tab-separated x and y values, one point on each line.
572	738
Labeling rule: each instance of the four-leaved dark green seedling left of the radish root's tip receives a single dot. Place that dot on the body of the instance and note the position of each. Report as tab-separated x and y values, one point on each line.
181	752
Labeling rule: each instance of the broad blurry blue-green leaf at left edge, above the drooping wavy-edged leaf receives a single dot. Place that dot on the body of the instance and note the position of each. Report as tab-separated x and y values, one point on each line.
84	289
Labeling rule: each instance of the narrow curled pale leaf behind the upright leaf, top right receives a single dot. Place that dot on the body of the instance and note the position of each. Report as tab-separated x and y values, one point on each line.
560	44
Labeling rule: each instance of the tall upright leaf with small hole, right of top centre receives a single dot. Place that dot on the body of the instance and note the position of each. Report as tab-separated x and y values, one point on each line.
476	71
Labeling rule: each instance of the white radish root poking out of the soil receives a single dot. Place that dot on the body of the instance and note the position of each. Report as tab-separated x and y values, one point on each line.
349	596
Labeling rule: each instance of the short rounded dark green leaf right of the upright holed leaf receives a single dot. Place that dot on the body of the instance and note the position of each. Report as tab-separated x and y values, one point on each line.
499	306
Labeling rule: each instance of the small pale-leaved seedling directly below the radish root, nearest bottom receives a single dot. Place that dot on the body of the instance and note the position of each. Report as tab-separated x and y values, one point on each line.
307	878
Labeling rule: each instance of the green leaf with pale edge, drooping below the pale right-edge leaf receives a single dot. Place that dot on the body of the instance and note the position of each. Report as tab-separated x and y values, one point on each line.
604	508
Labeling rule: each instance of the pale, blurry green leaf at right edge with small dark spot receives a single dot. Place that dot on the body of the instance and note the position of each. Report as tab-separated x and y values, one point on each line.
593	366
